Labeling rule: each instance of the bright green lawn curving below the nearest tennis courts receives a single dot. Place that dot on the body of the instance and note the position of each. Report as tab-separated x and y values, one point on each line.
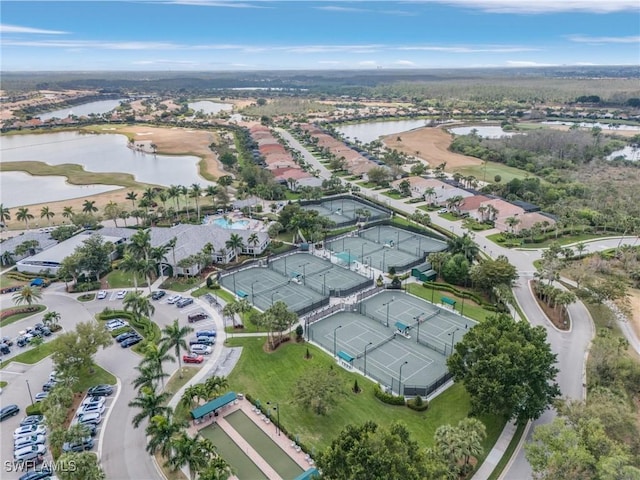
273	377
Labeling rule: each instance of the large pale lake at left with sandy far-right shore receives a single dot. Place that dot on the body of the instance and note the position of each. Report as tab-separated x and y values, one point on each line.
97	153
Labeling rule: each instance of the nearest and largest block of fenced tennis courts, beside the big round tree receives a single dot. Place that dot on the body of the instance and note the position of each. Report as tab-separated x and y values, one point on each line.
379	326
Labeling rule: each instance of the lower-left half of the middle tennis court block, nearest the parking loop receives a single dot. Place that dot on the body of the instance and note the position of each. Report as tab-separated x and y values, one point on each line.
263	287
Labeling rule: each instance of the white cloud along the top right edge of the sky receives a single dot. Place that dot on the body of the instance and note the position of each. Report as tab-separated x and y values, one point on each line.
543	6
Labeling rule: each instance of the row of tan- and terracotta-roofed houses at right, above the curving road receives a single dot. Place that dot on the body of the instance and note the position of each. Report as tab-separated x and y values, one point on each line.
507	216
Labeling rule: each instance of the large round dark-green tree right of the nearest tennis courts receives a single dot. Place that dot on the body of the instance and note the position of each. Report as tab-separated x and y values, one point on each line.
507	367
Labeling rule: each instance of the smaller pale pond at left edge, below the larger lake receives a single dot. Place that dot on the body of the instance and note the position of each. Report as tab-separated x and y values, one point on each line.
20	188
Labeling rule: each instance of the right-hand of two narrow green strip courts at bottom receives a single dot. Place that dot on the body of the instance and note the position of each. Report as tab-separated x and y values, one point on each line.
263	445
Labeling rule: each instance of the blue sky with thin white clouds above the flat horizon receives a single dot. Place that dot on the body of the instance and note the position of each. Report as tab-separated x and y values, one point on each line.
203	35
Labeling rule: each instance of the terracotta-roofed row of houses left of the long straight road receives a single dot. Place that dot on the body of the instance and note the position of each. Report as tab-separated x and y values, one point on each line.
279	161
